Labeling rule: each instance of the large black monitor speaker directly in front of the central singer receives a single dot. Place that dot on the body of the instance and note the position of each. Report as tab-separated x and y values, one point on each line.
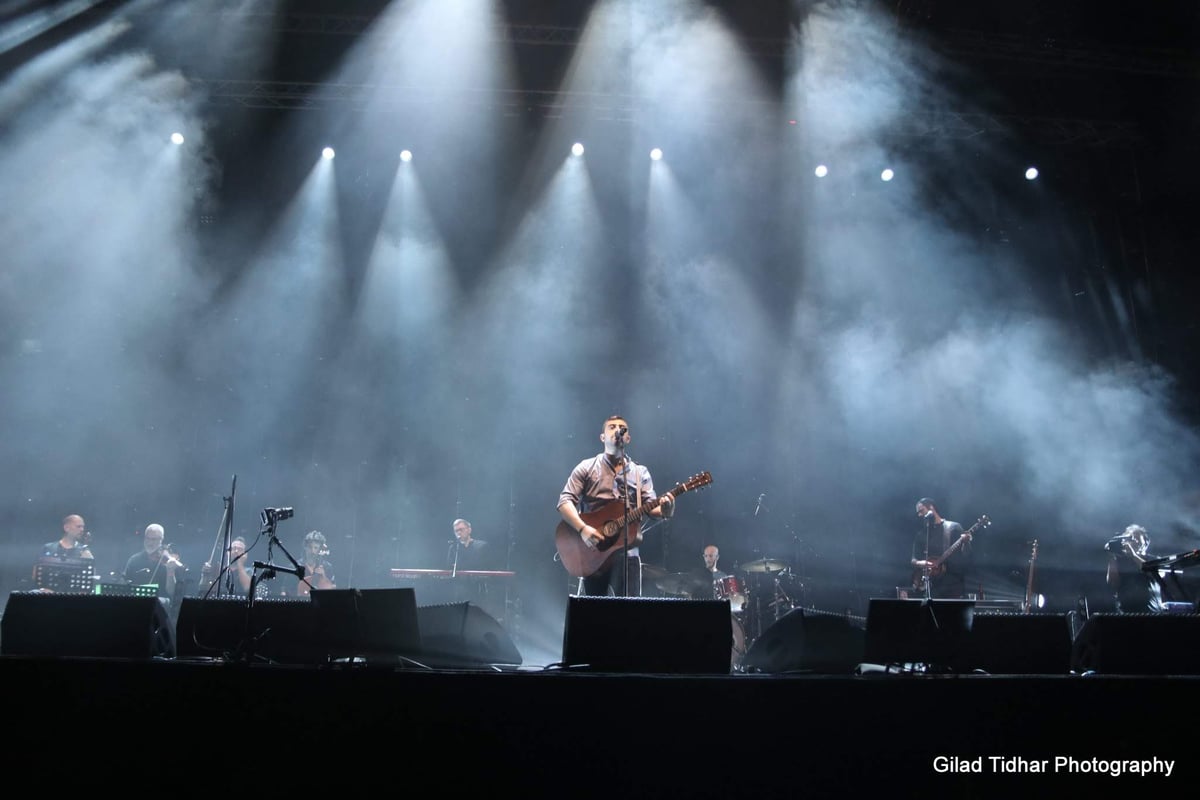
625	635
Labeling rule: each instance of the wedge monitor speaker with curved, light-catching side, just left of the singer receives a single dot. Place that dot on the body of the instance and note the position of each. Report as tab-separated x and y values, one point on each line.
464	635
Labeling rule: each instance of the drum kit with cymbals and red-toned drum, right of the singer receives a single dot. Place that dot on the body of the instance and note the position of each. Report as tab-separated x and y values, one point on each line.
769	593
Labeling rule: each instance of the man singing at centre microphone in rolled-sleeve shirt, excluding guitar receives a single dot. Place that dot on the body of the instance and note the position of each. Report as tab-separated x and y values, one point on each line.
613	480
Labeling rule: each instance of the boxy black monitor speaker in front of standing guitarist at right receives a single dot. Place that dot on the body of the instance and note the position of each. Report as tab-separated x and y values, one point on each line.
933	633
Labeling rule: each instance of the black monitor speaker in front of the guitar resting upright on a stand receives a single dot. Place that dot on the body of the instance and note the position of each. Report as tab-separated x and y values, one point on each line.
1019	645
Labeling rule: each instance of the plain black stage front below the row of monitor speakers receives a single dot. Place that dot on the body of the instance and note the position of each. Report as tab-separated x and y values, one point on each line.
545	732
